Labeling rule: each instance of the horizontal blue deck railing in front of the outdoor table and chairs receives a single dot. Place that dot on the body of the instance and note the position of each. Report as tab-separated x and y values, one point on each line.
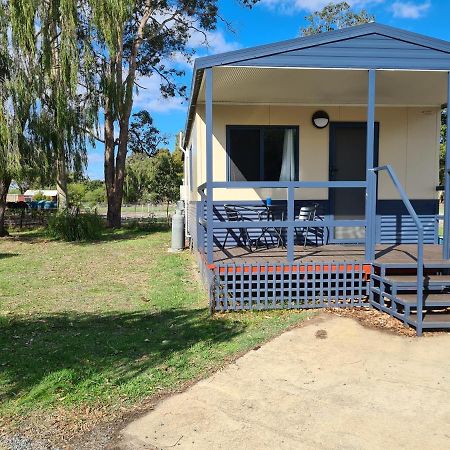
289	224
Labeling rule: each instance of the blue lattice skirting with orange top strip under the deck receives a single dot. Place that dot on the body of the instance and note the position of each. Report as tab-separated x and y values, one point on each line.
256	286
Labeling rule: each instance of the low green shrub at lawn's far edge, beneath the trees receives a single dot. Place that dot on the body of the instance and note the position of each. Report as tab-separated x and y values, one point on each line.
75	226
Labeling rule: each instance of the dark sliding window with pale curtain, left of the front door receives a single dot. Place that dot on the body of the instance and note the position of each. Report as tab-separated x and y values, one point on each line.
263	153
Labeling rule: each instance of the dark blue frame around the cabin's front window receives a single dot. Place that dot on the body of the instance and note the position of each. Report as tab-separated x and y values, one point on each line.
261	128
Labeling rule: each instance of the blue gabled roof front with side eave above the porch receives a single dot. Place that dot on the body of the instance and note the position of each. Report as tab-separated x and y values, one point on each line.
364	46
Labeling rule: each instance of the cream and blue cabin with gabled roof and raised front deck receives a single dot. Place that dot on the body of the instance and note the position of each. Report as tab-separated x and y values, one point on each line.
312	174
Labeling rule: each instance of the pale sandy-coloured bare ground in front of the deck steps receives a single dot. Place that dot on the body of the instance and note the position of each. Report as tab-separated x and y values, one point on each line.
330	384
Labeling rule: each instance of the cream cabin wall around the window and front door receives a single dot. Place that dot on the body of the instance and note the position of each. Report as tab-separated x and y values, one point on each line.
409	141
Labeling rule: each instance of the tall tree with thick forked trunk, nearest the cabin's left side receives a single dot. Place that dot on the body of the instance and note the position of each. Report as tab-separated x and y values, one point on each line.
133	39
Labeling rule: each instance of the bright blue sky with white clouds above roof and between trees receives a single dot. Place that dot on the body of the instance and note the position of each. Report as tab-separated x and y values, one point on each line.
270	21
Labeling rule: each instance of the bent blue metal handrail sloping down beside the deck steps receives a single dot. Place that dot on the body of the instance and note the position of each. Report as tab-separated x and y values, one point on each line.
419	227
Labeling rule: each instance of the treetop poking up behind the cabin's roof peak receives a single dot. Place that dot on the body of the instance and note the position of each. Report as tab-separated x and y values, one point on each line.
335	16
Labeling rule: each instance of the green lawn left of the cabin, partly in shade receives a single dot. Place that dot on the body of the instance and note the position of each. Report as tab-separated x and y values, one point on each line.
92	331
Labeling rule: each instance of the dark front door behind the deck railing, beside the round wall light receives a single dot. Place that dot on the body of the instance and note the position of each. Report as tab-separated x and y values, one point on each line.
348	163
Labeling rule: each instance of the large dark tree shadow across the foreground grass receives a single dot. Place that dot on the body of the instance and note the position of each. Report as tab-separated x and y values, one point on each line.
90	356
